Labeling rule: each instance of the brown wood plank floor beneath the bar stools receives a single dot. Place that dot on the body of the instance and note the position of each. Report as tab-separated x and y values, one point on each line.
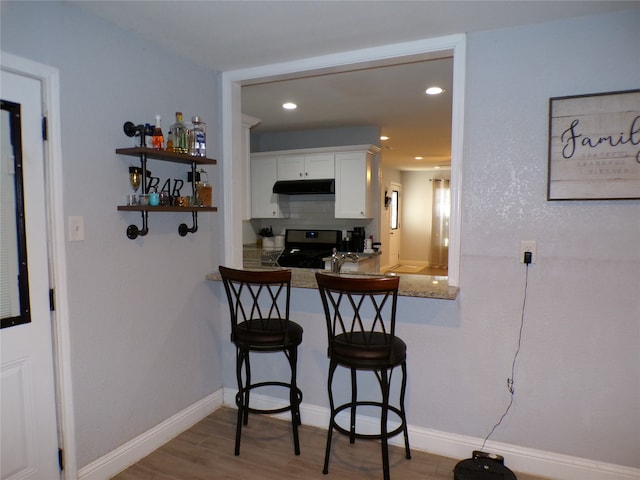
205	452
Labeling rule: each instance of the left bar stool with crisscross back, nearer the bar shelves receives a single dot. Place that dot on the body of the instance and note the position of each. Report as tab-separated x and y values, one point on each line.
259	307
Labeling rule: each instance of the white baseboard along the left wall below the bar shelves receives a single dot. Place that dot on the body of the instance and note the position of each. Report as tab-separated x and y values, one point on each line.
126	455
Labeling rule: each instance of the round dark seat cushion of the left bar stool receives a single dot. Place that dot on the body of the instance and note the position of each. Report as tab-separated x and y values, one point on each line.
267	333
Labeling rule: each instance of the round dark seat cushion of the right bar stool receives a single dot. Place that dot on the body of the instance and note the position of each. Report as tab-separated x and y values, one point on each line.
368	350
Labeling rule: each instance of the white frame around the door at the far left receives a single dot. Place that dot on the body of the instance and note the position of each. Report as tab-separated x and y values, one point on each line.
49	79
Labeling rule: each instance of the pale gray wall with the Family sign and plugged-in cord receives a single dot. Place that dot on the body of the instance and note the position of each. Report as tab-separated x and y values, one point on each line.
577	387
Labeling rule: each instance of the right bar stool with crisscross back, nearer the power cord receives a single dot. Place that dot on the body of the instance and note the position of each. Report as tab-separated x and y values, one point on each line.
360	314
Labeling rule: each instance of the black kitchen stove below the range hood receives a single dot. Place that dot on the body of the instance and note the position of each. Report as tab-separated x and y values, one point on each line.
307	248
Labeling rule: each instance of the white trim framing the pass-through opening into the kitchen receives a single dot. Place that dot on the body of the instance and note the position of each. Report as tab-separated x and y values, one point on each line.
235	167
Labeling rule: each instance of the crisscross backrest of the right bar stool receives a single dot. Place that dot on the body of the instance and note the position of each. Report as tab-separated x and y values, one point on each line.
358	308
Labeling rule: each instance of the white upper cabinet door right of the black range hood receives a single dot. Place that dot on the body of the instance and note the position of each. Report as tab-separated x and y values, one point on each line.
353	185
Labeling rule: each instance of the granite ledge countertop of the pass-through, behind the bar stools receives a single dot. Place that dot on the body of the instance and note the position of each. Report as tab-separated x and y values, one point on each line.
425	286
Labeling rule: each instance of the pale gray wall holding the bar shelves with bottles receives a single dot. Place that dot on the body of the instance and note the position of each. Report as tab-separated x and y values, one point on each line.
142	330
